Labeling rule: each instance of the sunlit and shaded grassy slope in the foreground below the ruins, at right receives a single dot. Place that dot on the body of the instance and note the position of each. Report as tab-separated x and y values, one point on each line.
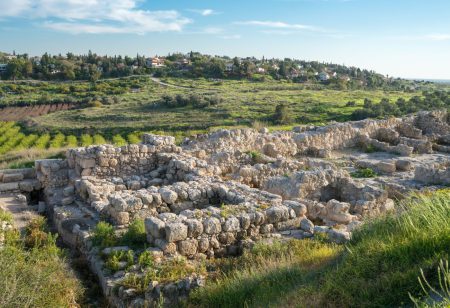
377	268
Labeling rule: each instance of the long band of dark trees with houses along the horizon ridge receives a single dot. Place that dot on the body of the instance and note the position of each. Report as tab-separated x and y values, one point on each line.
93	67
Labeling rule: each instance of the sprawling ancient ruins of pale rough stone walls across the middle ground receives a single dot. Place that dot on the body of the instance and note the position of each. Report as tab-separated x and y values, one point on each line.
216	194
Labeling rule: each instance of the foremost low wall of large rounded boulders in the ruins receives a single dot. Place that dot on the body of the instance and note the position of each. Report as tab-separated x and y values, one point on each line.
217	232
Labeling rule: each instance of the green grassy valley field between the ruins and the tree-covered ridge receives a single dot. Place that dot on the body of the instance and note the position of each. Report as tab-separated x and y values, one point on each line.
244	102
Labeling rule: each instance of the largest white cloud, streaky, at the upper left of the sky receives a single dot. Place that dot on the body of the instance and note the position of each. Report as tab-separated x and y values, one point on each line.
95	16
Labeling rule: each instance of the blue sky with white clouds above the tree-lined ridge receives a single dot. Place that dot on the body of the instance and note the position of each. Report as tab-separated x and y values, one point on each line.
402	38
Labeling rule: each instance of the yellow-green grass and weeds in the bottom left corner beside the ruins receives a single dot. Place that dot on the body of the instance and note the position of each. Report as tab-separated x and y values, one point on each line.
35	274
